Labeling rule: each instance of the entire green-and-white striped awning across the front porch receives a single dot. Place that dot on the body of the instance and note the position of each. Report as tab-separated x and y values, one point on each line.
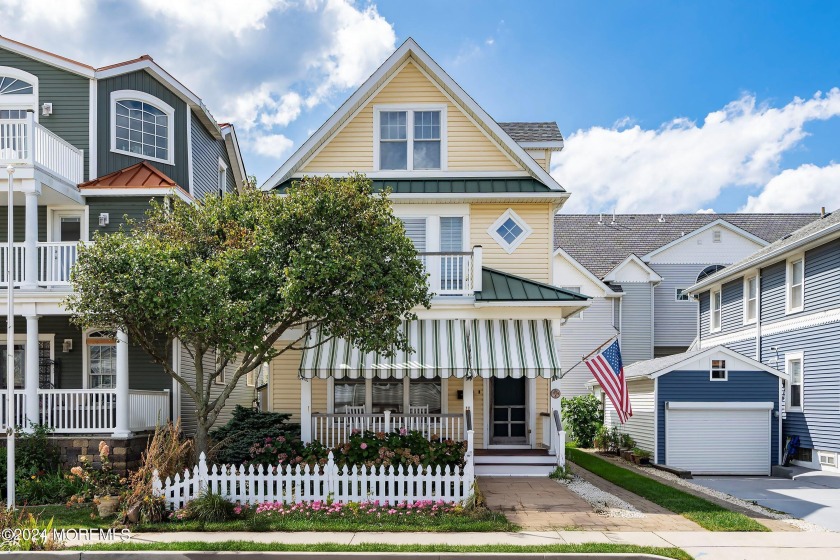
442	348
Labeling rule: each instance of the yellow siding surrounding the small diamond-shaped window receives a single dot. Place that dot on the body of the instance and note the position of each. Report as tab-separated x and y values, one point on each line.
532	259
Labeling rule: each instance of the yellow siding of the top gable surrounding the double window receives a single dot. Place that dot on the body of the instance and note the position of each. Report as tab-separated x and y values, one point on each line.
351	149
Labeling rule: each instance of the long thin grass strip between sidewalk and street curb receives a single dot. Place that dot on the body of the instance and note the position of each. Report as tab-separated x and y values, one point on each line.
249	546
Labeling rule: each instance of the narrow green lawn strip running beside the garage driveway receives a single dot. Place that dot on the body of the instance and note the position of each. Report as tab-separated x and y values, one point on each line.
708	515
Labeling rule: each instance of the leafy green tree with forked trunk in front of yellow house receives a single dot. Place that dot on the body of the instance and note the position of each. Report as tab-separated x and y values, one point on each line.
230	276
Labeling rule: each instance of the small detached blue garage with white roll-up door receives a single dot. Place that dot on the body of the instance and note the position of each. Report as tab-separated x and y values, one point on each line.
714	411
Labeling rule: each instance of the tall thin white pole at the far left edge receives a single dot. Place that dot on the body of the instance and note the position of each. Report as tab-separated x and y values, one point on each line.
10	346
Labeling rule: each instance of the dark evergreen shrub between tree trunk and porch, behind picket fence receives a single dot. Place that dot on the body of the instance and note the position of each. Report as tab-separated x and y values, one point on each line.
248	427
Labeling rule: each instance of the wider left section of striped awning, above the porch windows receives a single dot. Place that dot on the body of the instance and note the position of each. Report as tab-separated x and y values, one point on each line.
439	349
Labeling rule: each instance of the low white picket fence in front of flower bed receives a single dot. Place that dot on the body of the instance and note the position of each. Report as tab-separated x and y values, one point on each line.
305	483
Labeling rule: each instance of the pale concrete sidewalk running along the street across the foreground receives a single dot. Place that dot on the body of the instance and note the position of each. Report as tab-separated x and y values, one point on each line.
700	544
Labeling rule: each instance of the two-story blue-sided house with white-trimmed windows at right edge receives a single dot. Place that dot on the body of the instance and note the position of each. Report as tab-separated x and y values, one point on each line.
789	310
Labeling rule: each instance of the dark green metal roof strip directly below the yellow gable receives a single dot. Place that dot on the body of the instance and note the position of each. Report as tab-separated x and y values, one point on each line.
452	186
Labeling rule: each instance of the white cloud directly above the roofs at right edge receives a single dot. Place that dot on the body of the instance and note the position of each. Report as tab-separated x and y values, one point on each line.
804	189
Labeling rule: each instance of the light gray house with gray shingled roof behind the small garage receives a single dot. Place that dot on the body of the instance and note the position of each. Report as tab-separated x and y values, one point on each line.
642	263
